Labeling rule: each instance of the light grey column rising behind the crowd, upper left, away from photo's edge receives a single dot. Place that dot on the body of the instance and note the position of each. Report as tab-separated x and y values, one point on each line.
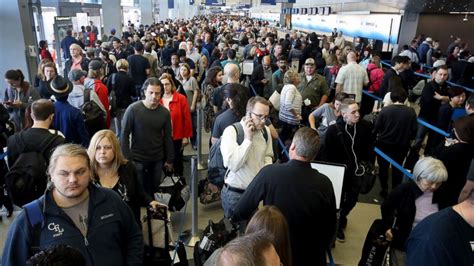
113	17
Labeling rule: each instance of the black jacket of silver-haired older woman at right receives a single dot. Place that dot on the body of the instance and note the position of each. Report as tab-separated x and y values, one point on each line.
401	203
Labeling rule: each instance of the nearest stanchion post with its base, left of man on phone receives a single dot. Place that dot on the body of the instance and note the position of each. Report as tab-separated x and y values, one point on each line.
191	236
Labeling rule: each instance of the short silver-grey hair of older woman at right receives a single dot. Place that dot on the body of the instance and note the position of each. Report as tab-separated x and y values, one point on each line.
430	169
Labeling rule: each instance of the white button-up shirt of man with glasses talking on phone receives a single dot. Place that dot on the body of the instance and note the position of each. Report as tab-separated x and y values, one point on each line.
246	160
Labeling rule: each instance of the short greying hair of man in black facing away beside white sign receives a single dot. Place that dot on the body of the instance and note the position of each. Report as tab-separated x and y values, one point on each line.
307	143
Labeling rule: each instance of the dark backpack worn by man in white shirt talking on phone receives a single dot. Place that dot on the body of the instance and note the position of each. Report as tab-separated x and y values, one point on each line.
216	171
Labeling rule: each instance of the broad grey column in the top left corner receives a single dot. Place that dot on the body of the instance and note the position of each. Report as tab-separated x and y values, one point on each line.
22	51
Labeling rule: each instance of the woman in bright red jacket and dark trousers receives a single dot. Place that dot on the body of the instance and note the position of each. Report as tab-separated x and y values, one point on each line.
176	103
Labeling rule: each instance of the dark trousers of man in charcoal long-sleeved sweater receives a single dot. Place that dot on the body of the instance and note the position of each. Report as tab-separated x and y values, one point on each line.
149	175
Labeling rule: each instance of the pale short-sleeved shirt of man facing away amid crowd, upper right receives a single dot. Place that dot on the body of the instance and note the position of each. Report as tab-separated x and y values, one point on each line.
353	77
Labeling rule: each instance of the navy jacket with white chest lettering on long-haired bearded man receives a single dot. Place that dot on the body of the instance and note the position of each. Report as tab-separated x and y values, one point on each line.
113	236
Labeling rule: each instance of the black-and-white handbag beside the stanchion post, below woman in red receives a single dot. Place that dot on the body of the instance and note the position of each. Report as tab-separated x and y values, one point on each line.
173	192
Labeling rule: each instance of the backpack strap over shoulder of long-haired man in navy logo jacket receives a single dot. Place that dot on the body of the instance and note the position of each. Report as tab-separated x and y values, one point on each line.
35	217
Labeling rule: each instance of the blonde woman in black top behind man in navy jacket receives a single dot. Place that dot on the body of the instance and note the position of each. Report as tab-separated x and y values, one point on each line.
111	170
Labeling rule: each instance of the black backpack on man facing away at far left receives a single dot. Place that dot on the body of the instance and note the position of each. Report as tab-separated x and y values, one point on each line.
27	179
